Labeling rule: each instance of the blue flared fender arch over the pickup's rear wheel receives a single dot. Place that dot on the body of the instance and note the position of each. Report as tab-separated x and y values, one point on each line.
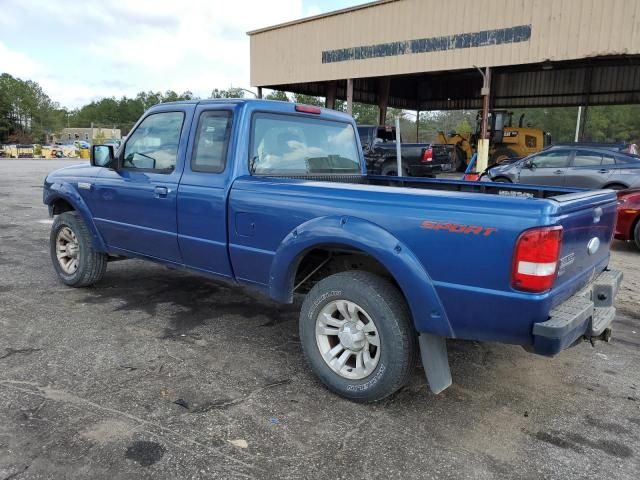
416	285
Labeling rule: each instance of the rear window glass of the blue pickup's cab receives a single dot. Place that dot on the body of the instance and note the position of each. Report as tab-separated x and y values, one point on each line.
296	145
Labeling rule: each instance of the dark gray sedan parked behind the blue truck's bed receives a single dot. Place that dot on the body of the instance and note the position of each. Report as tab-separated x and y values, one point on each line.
579	167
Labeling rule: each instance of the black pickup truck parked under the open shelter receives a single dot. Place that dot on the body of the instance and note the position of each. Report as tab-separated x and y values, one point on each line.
418	159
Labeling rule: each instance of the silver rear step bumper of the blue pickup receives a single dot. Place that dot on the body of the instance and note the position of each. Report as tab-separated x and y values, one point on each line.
588	313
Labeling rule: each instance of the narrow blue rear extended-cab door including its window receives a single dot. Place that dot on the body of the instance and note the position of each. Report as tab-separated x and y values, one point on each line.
202	194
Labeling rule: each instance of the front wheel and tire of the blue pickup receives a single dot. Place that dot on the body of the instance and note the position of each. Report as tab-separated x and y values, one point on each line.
70	237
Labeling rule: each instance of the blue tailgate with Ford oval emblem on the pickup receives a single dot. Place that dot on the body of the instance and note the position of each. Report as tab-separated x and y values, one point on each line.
588	221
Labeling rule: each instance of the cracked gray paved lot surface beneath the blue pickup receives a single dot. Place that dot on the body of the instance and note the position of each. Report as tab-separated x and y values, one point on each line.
163	374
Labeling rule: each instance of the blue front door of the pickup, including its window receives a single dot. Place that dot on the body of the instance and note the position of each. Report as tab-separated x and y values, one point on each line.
135	207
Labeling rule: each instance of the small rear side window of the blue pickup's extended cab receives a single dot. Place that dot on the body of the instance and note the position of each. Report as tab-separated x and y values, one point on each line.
212	139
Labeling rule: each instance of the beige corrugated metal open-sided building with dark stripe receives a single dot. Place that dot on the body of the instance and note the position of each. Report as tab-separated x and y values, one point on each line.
423	54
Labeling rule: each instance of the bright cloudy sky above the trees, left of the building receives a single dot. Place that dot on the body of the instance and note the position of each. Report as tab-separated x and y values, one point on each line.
79	51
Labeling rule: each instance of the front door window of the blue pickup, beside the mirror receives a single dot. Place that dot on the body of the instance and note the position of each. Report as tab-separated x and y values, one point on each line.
154	144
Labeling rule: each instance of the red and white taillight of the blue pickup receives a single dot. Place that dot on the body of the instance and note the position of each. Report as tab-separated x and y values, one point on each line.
535	261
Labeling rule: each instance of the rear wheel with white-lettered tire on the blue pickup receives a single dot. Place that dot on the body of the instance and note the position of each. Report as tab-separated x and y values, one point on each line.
377	301
